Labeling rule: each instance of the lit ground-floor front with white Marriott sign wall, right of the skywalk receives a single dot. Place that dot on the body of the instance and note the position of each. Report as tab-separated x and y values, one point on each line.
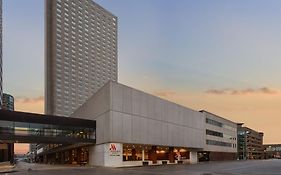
125	154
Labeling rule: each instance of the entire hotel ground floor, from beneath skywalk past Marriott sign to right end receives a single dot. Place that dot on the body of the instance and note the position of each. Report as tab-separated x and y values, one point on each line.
115	155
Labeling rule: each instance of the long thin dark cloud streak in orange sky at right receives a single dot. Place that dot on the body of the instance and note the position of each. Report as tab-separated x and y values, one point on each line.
263	90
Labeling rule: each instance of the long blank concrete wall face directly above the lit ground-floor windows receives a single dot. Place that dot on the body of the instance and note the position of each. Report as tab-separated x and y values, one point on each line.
138	117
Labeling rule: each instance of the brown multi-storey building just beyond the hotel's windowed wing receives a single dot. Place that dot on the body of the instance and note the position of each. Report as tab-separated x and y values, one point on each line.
250	143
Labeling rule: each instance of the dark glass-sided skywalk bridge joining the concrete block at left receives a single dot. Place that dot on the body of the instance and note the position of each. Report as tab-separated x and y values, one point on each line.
36	128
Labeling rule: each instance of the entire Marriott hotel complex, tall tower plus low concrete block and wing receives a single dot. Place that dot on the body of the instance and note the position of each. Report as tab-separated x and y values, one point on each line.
132	127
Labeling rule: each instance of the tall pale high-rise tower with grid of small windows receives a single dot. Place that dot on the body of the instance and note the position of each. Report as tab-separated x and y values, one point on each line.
81	53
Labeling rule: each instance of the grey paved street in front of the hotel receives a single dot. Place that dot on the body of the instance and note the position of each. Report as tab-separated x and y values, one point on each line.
251	167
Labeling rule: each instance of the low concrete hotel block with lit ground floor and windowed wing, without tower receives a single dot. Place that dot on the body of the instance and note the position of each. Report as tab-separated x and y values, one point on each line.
133	126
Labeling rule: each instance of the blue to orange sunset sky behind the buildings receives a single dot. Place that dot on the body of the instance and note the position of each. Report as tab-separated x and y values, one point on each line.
221	56
